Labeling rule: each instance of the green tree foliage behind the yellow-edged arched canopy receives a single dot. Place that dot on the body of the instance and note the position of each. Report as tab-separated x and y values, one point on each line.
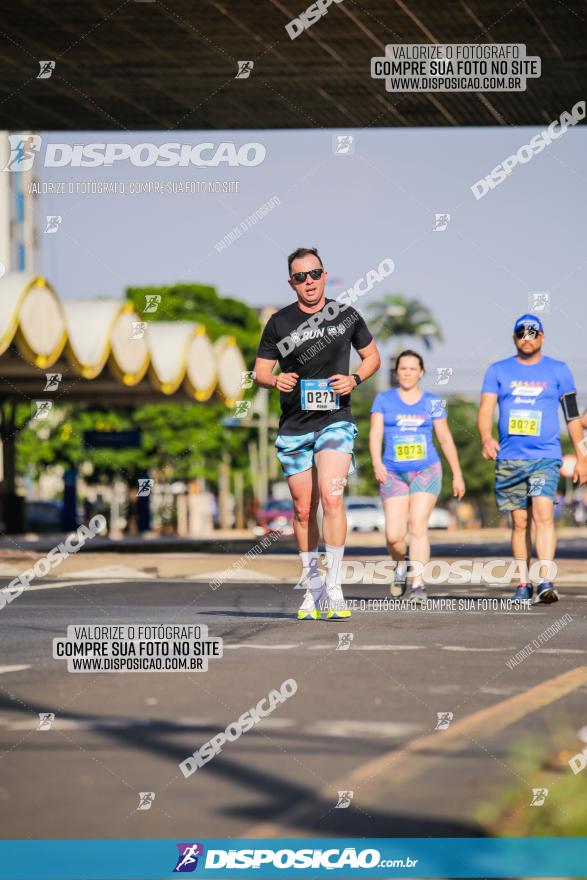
180	441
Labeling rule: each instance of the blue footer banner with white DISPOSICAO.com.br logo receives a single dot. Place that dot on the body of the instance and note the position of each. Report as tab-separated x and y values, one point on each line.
282	858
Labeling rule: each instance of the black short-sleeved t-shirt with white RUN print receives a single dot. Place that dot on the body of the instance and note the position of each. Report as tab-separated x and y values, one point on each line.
317	354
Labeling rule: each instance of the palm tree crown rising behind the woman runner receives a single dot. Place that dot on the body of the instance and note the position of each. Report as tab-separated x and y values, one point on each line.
394	317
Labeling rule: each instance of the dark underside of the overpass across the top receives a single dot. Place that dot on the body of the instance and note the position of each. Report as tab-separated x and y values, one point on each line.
150	65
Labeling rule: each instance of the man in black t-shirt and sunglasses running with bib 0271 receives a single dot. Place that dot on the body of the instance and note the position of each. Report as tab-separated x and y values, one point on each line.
311	339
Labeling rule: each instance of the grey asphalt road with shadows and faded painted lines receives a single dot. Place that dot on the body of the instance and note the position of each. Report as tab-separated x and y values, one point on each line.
362	719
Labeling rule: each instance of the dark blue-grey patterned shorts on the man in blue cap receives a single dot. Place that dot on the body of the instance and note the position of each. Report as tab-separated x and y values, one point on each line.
518	480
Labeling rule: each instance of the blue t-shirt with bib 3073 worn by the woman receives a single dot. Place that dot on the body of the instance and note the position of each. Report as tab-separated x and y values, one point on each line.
407	430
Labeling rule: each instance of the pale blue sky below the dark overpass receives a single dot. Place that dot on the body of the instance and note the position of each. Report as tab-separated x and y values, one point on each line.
526	235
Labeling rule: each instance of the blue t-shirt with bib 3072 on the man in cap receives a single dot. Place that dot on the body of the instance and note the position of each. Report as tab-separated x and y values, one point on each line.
529	397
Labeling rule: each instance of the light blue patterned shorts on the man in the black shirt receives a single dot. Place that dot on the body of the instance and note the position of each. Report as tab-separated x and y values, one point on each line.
296	451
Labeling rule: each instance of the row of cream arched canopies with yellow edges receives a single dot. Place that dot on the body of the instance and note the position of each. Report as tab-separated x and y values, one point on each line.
104	349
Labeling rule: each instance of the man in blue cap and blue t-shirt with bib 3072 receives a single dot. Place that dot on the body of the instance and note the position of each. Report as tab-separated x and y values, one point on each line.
529	387
